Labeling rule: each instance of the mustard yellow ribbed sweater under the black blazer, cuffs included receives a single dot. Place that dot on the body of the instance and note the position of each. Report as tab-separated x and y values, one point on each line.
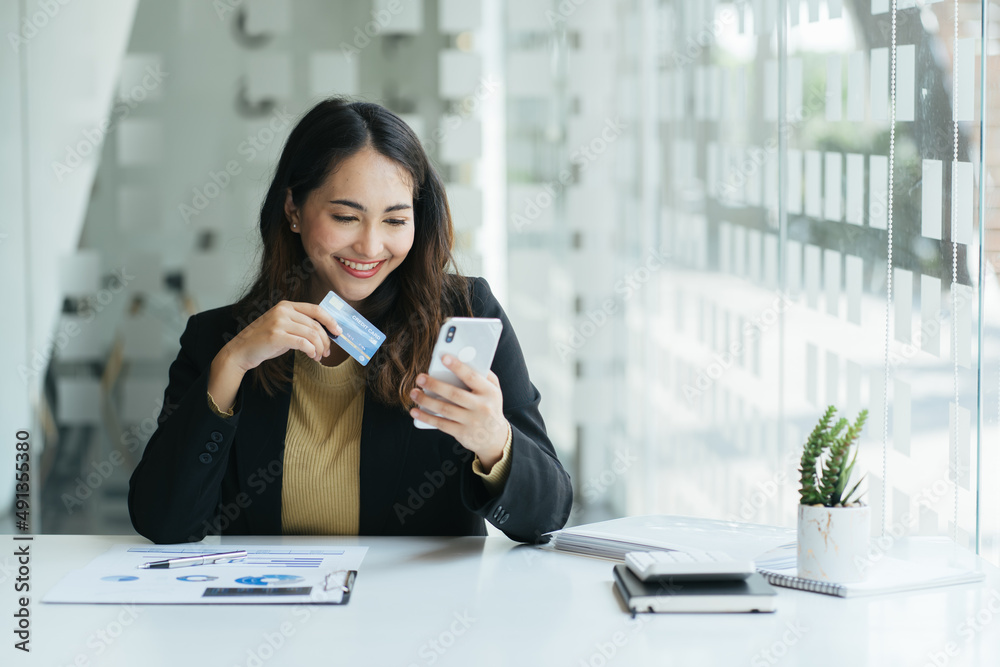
321	488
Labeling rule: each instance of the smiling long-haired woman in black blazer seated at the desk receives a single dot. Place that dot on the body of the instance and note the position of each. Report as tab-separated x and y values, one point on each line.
354	208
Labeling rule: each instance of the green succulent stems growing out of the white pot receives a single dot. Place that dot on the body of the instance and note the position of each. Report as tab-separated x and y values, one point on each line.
826	486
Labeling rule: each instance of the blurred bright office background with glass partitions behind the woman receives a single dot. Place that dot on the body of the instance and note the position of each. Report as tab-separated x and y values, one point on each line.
685	207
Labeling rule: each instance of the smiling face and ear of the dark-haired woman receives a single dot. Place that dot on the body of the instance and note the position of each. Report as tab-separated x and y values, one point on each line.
356	227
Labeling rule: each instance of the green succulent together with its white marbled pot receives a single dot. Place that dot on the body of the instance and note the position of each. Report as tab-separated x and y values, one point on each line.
833	523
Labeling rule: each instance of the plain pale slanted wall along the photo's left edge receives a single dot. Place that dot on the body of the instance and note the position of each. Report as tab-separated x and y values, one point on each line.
69	57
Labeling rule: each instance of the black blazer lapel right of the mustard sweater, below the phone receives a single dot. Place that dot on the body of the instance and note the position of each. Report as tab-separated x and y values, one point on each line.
385	436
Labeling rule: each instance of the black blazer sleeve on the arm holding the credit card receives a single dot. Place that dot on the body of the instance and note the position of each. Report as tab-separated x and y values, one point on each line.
175	490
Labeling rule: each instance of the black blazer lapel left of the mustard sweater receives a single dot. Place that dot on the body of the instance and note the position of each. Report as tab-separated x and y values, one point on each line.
261	454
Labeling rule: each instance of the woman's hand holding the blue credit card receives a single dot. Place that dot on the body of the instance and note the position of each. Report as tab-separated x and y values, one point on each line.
289	325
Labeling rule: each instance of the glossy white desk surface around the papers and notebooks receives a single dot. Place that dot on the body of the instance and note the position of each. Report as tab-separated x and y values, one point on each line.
488	601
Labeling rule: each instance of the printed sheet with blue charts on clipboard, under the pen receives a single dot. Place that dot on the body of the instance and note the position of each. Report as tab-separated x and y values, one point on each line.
268	575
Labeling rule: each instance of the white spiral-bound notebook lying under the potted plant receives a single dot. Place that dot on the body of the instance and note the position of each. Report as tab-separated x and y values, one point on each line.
887	575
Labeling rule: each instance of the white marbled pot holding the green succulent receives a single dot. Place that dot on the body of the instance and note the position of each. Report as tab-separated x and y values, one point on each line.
833	543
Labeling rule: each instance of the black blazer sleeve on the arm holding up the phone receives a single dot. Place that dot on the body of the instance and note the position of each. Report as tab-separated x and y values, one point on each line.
538	495
